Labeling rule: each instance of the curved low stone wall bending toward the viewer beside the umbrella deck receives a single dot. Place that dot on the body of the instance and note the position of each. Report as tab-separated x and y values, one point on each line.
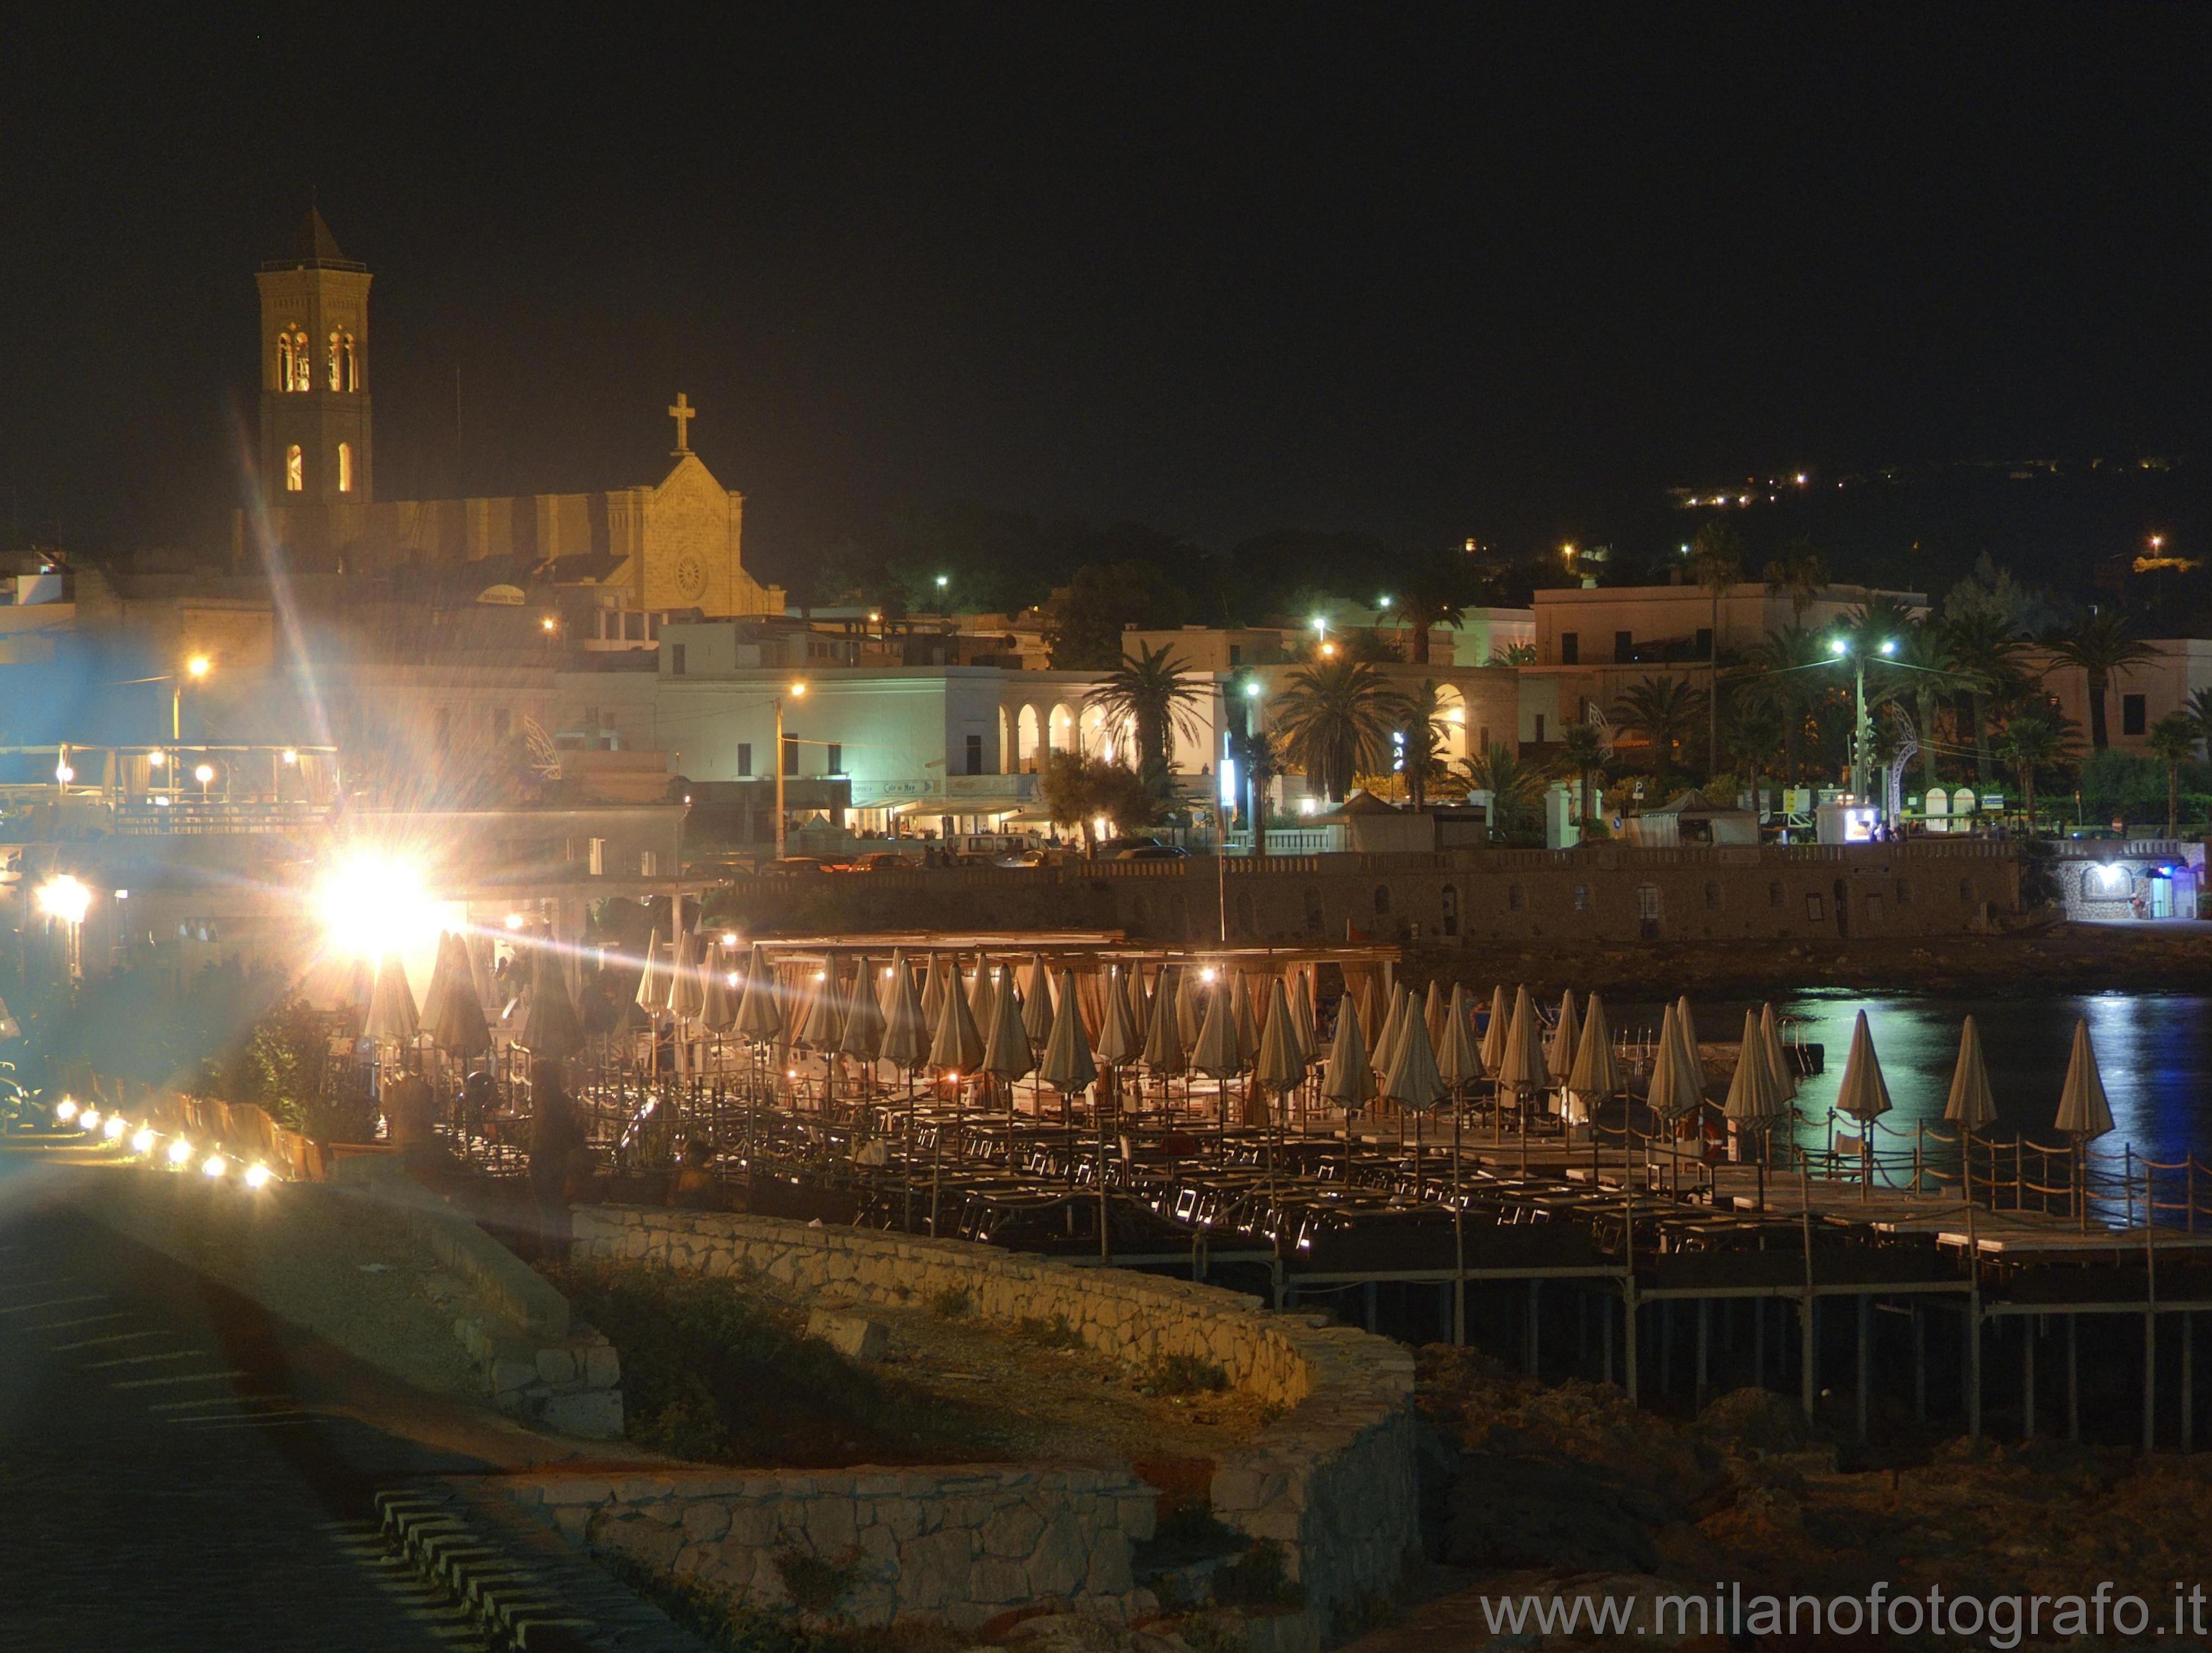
1331	1482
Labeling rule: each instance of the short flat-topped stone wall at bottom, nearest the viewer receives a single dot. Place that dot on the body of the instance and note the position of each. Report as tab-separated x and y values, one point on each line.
879	1546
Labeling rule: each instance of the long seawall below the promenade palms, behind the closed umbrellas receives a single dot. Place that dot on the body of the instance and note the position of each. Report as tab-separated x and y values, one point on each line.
1600	893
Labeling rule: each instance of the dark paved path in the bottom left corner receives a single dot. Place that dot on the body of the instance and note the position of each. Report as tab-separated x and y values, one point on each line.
163	1479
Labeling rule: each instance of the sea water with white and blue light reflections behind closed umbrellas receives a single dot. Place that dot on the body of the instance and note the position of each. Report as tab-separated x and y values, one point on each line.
2153	1050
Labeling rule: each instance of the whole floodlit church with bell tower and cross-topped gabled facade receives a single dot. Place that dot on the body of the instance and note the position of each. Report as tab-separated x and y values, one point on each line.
671	548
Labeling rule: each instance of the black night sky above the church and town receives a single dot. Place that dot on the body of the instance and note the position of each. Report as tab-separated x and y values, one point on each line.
1415	271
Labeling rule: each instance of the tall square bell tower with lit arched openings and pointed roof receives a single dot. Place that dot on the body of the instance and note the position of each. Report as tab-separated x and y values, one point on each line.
315	375
